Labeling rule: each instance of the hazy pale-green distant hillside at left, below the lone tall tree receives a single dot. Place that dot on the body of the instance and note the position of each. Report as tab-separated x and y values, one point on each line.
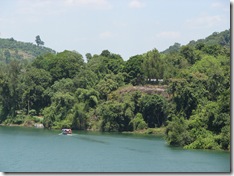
11	49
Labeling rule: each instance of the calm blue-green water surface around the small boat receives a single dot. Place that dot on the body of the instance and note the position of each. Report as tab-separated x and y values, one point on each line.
39	150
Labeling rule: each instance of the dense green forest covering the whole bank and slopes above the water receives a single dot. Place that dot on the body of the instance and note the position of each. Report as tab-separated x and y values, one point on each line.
184	90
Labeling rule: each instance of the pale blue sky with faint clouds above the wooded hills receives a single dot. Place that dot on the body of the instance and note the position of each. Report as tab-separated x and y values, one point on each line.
125	27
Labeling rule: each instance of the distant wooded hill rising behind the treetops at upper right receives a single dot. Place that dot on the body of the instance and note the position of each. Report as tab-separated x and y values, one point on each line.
217	38
